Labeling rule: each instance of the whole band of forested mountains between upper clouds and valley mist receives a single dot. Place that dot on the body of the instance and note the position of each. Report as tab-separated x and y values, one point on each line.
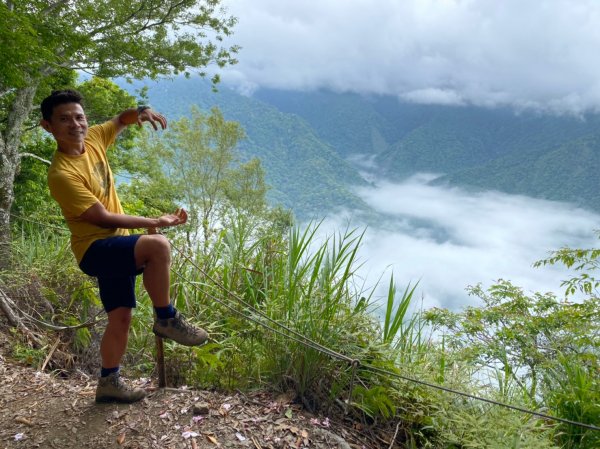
305	140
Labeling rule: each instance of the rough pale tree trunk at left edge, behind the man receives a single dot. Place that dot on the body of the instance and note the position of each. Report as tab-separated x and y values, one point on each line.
10	139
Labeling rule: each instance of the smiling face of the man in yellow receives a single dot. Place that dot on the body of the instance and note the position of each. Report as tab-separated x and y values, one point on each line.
68	125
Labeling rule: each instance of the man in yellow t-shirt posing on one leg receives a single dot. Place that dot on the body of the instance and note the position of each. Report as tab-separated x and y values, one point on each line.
81	181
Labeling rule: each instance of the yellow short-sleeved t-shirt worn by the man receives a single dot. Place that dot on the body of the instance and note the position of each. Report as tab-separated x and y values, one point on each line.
78	182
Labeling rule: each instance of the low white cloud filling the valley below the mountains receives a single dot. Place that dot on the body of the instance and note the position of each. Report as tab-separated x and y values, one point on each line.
450	239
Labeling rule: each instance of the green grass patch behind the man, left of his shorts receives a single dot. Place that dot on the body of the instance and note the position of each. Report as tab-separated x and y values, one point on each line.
47	285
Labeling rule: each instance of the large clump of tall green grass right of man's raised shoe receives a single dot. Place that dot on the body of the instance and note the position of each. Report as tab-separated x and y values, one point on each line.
305	284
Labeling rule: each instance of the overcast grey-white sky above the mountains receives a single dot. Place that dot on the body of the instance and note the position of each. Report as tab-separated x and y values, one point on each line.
541	54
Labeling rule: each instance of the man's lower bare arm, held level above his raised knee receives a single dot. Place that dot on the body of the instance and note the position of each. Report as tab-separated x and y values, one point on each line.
99	216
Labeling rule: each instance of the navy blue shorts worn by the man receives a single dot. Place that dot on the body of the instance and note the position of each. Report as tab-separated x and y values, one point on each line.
112	261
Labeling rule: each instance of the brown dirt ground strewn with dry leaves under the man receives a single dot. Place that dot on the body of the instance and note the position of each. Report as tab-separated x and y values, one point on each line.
40	410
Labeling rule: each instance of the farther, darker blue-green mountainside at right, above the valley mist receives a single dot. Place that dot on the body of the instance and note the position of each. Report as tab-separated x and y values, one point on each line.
547	157
